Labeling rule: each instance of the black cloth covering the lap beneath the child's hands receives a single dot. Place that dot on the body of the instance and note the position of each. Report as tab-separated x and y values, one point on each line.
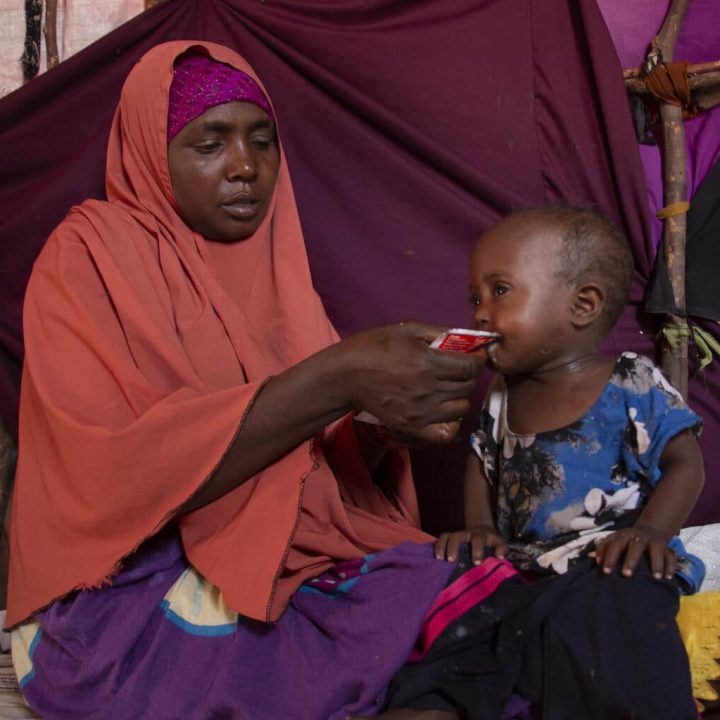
551	641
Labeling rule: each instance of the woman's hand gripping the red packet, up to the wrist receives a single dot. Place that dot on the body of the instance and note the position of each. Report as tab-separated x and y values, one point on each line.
416	391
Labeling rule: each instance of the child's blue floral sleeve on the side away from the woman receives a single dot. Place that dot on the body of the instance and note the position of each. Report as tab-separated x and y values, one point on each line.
656	413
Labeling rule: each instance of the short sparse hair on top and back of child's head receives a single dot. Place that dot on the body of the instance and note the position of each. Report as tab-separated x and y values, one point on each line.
591	248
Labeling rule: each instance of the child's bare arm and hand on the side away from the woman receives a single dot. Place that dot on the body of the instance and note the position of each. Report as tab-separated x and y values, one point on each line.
669	505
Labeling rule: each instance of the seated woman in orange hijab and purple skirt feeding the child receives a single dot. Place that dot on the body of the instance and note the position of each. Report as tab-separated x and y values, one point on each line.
200	528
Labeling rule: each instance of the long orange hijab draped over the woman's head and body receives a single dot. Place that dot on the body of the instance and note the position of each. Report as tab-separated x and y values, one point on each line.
145	346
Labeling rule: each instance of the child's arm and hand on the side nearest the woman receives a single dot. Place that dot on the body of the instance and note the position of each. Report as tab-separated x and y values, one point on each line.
479	519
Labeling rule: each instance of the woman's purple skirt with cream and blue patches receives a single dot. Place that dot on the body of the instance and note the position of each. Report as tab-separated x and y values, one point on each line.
160	643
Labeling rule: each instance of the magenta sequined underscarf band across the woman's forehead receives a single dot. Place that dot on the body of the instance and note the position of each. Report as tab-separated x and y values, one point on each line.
200	83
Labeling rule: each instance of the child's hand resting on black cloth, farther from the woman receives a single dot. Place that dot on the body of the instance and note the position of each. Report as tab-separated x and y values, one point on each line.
633	542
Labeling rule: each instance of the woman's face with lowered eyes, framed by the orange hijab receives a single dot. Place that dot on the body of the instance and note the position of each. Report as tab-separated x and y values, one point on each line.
223	168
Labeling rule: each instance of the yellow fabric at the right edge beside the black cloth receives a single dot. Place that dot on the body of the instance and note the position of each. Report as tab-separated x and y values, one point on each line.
699	623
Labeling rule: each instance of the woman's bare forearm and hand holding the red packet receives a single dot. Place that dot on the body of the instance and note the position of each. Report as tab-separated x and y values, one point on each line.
390	372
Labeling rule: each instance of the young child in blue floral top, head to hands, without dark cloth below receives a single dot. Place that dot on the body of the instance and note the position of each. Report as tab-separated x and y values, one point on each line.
576	453
